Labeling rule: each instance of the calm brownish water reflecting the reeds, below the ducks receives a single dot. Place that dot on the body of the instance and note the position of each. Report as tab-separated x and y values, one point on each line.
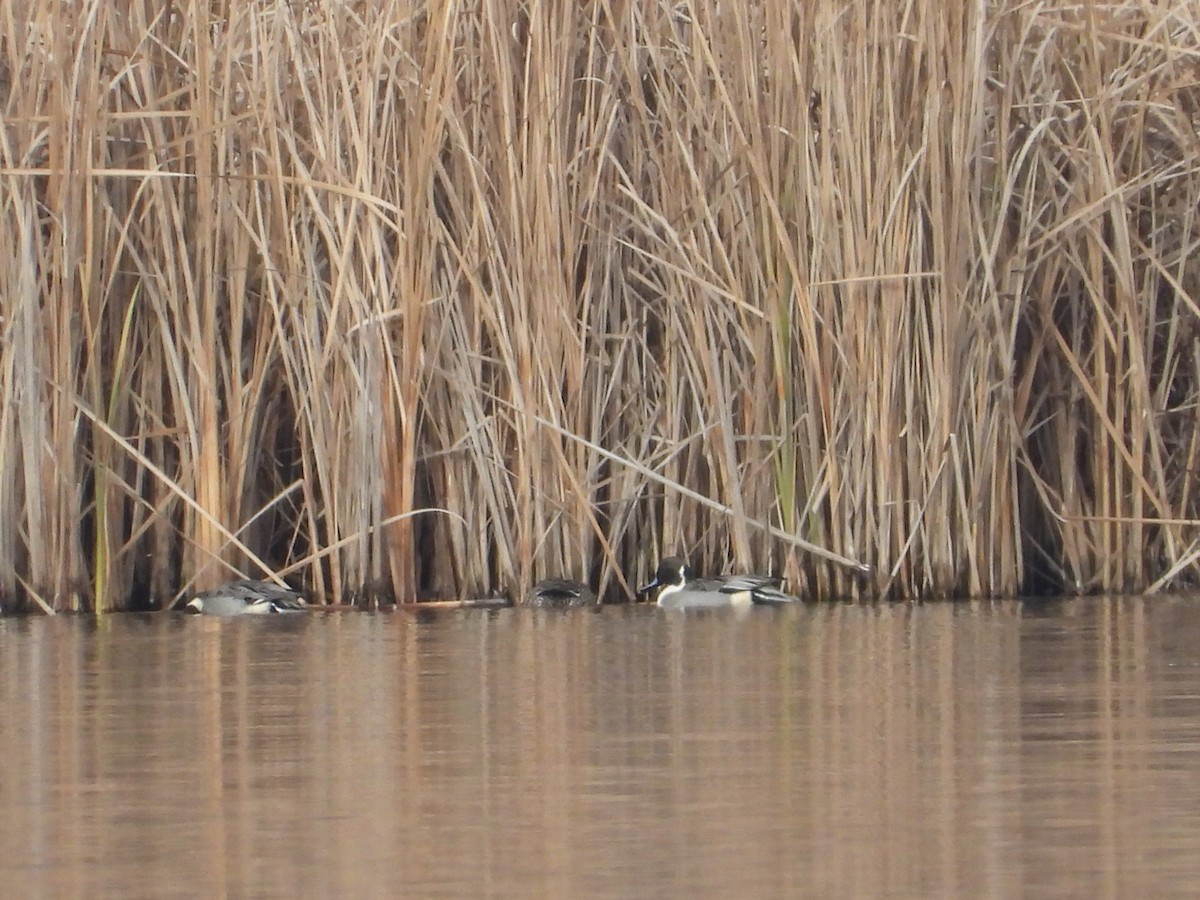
955	751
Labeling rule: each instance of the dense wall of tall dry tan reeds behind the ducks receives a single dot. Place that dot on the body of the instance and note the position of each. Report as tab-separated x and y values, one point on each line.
429	301
